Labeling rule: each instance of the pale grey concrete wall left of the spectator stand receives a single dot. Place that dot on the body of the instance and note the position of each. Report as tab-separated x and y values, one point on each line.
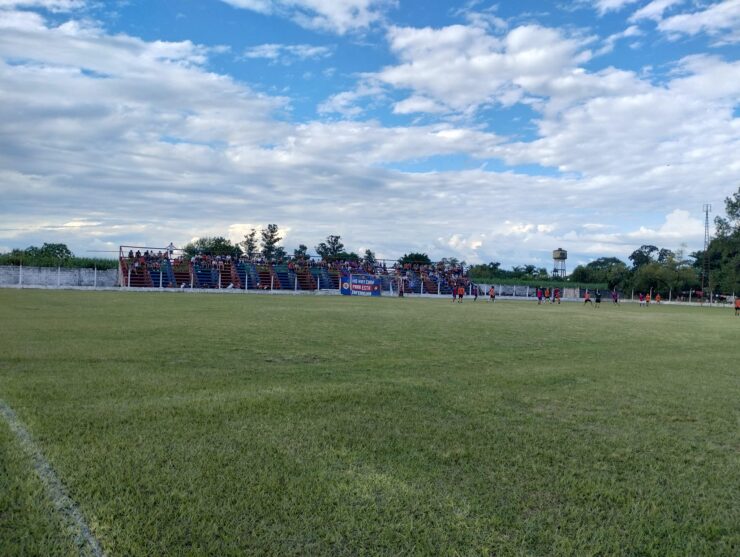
56	276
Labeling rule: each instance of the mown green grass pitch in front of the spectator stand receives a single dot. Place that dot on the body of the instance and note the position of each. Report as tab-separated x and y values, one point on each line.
277	425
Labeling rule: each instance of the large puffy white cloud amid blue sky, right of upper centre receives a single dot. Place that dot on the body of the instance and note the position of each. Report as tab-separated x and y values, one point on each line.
464	67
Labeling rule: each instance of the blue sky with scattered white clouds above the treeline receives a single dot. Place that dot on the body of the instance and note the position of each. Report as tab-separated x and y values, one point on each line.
485	131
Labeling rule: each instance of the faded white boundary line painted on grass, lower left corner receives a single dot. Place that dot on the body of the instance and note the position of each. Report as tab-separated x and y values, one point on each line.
83	536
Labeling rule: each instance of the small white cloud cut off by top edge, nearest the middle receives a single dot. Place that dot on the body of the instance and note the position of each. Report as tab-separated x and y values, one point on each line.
328	15
